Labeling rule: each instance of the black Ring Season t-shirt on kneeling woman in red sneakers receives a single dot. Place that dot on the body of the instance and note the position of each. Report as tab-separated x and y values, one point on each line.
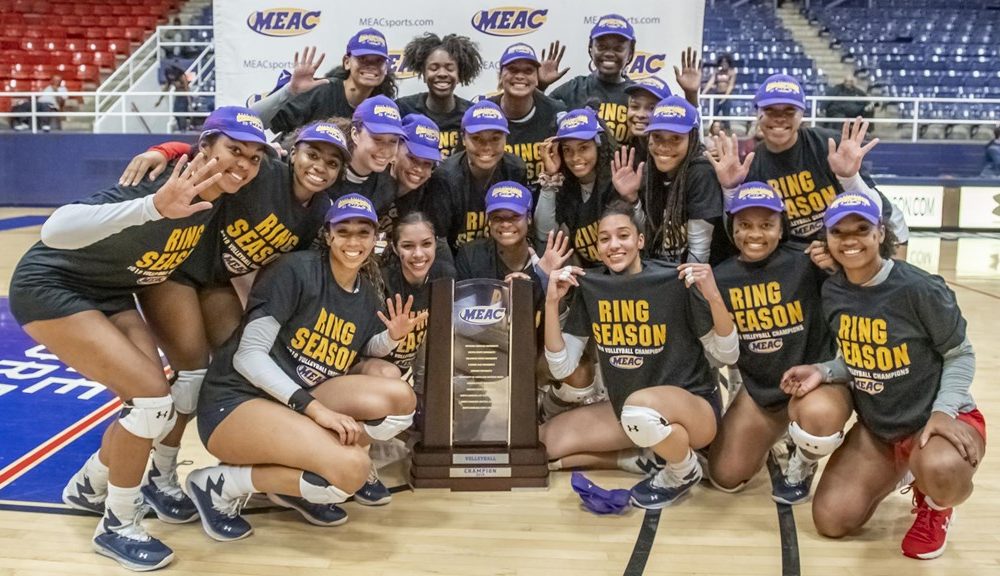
893	337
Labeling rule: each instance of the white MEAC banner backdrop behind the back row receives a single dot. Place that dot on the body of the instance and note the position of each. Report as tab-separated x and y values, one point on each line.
256	39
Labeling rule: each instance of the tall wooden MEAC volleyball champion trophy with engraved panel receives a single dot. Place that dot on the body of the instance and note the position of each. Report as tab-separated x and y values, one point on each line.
480	411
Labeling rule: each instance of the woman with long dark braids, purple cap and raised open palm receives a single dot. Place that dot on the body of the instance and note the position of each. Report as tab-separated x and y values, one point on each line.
677	187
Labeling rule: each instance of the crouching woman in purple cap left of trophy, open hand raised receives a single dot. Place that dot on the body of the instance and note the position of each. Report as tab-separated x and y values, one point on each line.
277	408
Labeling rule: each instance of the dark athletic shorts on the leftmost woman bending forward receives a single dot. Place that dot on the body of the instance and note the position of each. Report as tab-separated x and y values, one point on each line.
35	295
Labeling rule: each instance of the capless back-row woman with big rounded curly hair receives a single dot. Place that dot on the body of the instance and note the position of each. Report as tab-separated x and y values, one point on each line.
443	63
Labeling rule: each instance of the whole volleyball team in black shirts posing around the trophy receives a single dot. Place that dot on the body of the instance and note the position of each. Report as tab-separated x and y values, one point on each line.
287	286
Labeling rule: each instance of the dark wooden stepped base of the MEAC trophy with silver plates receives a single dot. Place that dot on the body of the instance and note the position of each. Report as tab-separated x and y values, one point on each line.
486	469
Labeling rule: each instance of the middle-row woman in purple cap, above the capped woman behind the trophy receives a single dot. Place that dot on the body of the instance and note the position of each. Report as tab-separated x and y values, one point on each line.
457	190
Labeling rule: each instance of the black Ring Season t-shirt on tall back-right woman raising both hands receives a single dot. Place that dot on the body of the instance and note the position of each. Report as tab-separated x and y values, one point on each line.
803	177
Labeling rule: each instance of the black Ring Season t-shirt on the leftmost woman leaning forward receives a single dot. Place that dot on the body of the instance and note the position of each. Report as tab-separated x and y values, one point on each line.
124	263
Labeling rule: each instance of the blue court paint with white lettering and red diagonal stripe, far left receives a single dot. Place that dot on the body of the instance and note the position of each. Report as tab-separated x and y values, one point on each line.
51	420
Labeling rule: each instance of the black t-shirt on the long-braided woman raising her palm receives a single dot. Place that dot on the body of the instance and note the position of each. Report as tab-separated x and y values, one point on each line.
703	201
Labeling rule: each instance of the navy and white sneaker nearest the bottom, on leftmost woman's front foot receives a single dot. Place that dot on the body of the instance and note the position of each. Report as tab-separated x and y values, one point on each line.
128	543
